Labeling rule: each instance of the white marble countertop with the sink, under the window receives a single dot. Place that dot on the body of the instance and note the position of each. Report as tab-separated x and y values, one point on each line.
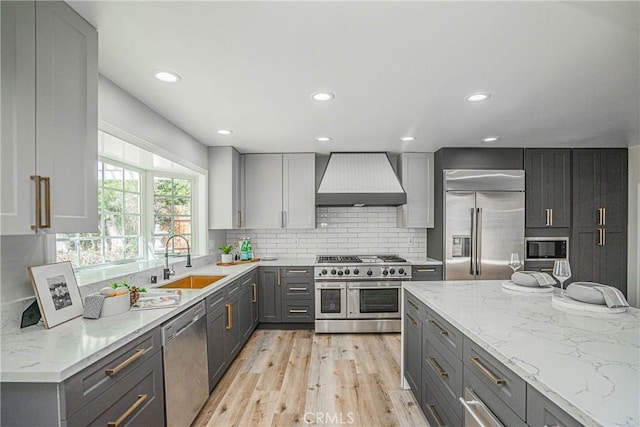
37	354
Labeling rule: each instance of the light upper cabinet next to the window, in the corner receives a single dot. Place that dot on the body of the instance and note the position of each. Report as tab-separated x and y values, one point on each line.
226	189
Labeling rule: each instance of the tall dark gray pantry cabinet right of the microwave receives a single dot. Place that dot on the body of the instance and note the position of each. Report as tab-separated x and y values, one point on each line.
599	235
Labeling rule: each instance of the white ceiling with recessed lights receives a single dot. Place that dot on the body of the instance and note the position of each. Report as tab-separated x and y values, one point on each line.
560	73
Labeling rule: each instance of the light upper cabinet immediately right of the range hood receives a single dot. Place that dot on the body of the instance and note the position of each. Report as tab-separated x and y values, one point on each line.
416	174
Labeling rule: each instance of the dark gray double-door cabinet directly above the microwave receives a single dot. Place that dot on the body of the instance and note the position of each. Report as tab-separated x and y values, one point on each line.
548	187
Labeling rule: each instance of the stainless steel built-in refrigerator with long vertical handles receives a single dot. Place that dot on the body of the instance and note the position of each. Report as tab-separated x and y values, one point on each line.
483	223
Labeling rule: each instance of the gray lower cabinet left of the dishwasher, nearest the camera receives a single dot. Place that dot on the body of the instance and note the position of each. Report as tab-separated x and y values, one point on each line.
125	387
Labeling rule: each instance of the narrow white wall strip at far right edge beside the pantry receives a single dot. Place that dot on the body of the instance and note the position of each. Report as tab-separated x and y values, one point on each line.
633	270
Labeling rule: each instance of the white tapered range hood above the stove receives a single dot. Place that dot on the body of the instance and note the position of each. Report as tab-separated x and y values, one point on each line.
359	179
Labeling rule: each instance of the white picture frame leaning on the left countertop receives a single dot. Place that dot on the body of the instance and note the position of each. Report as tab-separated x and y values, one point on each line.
57	292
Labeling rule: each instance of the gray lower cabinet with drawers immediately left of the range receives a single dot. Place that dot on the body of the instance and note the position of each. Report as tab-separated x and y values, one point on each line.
286	295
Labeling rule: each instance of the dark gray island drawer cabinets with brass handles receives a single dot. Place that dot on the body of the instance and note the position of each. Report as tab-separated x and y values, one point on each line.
449	362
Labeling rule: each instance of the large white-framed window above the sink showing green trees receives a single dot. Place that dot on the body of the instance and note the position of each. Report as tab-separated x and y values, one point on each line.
123	213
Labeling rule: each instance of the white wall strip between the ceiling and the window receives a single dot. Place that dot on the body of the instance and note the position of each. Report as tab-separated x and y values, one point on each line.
118	110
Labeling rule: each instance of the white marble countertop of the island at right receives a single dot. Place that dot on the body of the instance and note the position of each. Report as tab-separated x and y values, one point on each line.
587	363
